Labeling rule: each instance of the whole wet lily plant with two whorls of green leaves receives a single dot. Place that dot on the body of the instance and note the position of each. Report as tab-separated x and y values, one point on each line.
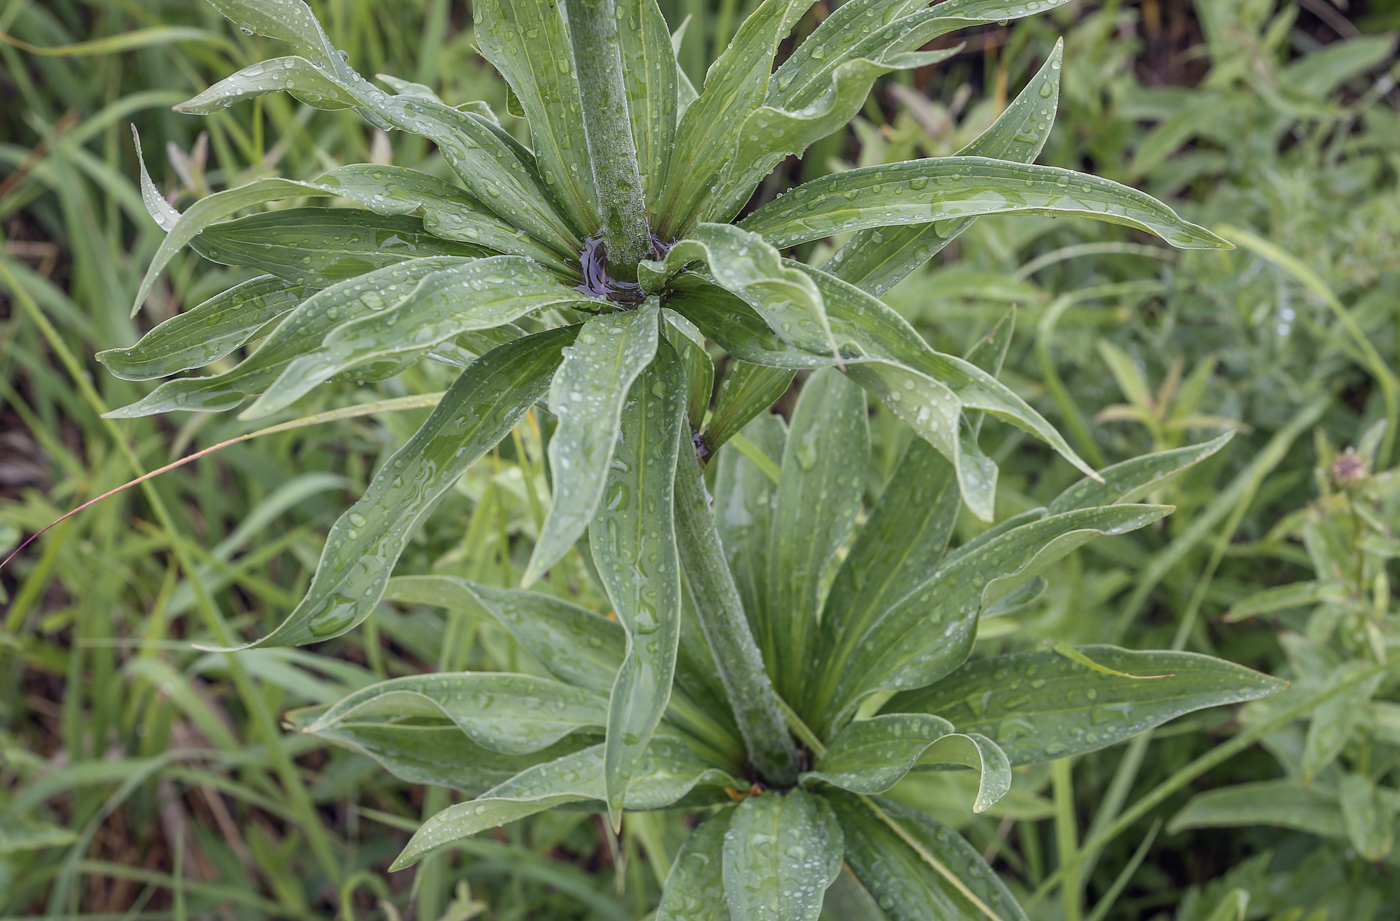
596	272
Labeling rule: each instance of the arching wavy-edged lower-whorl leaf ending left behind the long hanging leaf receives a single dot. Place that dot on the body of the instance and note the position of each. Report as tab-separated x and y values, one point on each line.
514	715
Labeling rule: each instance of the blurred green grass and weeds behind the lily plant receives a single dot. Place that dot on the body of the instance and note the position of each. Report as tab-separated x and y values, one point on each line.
141	778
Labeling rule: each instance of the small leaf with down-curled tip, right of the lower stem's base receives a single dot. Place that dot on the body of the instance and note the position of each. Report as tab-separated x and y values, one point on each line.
870	757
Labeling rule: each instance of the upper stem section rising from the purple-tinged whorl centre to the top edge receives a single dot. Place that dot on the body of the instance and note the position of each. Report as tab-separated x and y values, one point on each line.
593	30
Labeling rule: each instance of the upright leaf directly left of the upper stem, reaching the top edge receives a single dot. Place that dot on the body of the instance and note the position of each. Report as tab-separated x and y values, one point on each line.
528	43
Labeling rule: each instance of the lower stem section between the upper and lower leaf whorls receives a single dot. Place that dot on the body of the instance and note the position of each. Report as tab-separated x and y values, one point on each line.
757	708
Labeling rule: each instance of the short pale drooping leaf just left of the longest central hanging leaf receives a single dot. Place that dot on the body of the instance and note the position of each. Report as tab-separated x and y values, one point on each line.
589	395
